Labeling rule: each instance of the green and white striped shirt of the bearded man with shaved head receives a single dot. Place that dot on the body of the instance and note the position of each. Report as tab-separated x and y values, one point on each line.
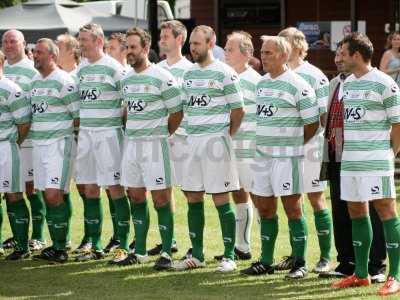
210	95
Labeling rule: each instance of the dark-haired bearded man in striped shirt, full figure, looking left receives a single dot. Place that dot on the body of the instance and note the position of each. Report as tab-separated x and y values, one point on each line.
153	105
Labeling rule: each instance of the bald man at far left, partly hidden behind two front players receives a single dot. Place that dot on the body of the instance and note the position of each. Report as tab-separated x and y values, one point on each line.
19	69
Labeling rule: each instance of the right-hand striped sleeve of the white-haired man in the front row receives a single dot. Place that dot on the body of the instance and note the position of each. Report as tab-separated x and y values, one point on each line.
307	104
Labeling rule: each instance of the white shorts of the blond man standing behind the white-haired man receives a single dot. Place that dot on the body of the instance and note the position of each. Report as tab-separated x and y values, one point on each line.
312	165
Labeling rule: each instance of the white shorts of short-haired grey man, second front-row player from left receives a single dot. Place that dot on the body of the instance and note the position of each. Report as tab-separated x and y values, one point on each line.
53	164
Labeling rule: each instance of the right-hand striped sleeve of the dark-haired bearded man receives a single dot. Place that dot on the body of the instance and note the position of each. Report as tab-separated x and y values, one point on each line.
171	94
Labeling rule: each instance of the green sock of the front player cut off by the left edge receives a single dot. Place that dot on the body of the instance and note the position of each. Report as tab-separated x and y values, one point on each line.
21	225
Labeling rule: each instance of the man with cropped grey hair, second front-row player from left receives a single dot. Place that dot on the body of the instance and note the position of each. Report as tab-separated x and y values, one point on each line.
55	113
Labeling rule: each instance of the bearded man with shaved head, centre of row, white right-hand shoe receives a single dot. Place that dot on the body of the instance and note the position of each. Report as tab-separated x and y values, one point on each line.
214	107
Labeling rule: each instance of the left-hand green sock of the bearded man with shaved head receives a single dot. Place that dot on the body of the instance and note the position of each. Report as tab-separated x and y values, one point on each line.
196	227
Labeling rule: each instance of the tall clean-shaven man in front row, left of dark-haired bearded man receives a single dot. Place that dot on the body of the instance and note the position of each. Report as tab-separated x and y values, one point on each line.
100	139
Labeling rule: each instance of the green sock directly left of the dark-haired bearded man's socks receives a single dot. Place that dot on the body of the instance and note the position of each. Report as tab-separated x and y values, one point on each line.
122	219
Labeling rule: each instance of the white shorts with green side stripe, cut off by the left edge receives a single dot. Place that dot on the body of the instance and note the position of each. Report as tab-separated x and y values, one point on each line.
10	168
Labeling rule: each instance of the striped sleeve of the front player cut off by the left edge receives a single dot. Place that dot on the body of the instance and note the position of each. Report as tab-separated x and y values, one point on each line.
20	107
